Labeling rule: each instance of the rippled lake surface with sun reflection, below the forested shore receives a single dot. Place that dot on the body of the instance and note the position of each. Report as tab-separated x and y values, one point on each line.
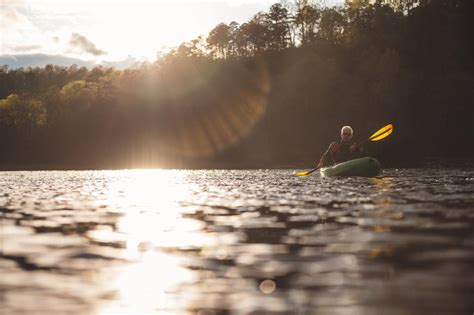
236	242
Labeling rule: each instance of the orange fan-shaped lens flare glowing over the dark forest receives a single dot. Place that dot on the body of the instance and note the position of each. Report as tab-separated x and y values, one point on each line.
199	111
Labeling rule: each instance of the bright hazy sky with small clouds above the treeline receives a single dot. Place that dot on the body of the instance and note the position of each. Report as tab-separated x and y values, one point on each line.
102	31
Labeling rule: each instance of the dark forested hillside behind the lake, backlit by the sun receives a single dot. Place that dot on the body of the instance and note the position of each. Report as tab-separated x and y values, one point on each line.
271	92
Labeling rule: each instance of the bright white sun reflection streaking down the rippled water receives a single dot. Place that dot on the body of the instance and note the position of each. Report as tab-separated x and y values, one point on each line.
151	225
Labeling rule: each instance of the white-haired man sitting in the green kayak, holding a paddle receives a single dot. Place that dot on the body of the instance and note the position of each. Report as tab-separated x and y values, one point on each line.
342	150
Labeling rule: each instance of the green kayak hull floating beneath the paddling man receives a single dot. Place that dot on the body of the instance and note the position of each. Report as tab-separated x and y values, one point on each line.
365	166
